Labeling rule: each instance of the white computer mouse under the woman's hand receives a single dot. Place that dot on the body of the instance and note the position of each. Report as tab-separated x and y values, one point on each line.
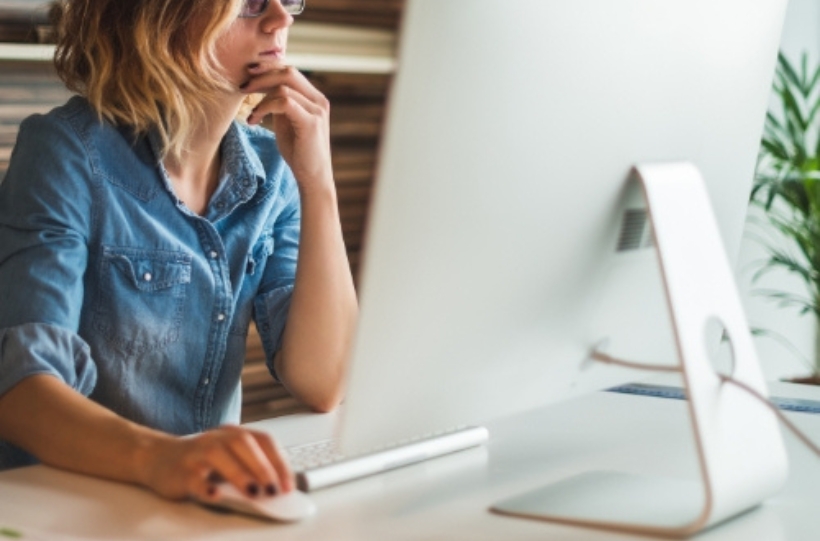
291	507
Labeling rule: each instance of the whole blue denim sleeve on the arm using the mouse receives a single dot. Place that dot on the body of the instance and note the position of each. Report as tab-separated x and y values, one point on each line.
45	213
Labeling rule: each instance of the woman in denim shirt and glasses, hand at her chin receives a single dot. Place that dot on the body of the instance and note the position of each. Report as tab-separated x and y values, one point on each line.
142	227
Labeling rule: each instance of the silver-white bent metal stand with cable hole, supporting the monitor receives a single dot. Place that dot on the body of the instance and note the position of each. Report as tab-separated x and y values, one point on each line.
741	455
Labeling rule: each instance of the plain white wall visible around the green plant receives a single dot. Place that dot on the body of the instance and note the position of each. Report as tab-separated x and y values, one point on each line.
788	356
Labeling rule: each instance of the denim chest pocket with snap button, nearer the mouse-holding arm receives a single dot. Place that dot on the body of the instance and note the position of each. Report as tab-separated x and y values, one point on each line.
141	298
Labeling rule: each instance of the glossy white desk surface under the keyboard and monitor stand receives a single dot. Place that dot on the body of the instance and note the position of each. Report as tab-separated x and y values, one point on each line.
442	499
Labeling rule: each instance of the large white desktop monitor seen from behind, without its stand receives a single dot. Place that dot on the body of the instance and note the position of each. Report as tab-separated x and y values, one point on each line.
498	252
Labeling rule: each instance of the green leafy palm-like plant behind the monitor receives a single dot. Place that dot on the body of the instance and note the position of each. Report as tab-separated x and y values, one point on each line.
787	185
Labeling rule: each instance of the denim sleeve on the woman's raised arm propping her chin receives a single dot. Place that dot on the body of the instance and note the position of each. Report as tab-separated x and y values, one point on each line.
272	303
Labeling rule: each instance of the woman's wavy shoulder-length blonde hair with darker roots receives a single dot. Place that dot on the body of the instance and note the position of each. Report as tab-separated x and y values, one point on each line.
149	64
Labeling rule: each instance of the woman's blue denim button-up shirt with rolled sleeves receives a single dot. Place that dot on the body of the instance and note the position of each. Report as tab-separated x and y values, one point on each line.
111	284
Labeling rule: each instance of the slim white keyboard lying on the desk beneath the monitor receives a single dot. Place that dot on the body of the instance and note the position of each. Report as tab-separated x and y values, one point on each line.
320	464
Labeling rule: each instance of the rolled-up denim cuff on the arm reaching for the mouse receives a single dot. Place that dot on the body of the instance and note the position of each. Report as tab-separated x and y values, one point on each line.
39	348
